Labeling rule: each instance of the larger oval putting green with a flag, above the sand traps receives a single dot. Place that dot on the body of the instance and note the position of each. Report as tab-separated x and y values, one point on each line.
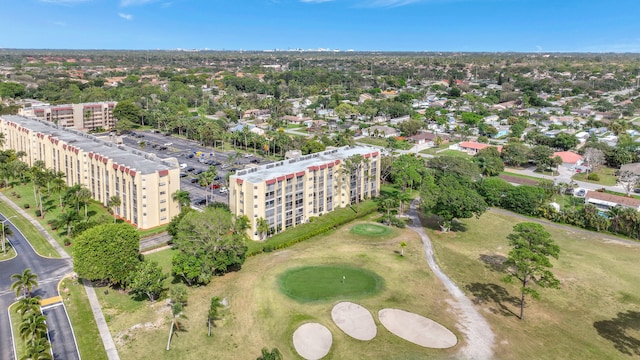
314	283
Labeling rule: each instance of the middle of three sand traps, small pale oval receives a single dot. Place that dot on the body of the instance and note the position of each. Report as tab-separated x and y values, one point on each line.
354	320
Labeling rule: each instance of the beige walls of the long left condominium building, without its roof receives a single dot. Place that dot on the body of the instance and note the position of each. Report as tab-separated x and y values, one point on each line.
145	198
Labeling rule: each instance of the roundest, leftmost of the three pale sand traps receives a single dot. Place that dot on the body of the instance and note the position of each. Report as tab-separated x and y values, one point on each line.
312	341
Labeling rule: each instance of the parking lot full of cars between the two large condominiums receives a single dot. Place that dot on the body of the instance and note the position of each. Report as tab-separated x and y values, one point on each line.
194	159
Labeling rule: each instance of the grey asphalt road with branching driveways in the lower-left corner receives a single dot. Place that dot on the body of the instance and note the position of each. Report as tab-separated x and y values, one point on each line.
50	272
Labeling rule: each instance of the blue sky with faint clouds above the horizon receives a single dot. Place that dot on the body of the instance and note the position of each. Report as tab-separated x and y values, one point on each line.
367	25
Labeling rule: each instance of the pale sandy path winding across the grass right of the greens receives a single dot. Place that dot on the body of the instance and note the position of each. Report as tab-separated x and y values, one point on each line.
478	334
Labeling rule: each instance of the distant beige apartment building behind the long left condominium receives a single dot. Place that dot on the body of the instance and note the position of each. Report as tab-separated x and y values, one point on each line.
85	116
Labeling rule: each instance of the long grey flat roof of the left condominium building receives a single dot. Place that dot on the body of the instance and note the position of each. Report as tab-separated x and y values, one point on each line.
134	159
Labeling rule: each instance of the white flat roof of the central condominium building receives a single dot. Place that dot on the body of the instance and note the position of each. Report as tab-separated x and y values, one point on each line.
286	167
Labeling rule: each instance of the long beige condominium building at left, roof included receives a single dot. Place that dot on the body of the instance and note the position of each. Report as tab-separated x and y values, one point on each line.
143	182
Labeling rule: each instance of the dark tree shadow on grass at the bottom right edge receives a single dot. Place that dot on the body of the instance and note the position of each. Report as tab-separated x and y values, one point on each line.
615	330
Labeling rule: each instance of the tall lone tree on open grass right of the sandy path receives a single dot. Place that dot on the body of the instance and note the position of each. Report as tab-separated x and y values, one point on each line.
528	261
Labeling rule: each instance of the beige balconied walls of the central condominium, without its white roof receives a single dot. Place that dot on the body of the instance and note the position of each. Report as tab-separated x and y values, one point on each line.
292	199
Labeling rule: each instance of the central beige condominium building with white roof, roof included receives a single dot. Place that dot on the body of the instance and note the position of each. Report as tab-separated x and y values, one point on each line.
289	192
